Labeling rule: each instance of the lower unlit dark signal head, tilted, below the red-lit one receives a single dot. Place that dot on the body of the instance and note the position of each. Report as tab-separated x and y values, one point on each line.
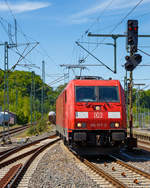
132	61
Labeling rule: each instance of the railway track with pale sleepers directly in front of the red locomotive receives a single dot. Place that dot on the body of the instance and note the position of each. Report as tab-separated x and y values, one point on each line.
113	172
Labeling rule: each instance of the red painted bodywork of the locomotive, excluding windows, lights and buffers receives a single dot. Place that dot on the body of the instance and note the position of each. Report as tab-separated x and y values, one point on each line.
65	111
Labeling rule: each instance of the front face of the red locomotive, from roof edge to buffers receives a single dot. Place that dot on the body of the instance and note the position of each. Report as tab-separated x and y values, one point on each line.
99	113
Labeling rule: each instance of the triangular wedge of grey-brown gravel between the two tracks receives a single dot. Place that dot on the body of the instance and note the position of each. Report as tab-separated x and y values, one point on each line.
58	169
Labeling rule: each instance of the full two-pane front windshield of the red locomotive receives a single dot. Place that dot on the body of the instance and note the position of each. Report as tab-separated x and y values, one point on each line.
97	94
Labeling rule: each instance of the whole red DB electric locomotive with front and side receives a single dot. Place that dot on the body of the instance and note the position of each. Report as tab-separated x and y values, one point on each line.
92	112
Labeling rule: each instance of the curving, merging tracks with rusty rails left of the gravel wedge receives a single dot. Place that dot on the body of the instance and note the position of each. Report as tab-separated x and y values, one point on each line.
14	164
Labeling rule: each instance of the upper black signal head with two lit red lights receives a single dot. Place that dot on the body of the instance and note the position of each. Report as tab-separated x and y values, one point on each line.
132	34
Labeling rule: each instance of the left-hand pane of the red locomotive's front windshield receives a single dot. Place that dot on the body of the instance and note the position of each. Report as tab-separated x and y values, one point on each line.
85	93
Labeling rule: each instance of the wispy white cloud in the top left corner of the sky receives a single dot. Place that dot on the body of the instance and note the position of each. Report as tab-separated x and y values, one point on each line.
24	6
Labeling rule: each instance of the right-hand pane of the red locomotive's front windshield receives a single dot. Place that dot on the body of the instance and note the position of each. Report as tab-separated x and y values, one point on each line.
108	93
